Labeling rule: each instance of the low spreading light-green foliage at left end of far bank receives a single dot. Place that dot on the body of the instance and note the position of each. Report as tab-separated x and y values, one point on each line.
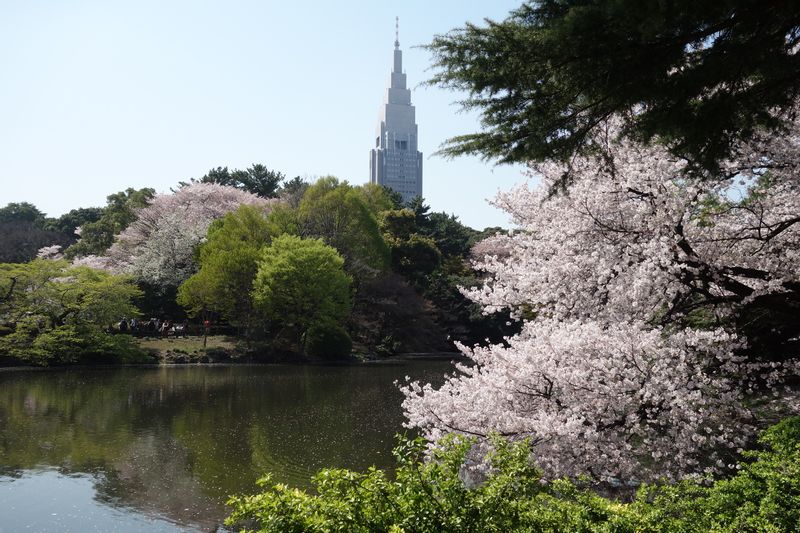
53	313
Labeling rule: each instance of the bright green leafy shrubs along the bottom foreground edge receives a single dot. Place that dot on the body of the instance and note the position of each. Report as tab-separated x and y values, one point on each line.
455	489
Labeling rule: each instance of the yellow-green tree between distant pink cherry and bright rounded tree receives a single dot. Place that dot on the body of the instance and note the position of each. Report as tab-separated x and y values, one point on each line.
228	265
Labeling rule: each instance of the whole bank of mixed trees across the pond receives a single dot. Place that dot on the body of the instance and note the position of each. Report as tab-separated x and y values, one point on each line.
291	269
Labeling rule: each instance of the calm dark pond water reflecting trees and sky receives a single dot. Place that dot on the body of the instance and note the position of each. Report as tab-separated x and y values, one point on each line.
161	449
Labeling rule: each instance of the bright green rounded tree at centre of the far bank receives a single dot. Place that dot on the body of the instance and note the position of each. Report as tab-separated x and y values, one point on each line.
301	283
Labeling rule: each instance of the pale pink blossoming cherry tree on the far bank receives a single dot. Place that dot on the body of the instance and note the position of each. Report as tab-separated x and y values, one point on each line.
158	247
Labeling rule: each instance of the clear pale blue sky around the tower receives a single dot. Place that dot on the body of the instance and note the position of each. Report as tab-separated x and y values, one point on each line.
98	96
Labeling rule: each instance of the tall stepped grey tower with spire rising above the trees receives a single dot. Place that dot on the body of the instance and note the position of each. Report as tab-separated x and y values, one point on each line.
395	160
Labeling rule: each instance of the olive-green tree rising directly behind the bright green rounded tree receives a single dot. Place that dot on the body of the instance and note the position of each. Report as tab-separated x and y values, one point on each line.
335	212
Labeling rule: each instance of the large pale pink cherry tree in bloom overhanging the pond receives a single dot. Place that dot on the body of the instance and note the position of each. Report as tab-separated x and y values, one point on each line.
660	312
